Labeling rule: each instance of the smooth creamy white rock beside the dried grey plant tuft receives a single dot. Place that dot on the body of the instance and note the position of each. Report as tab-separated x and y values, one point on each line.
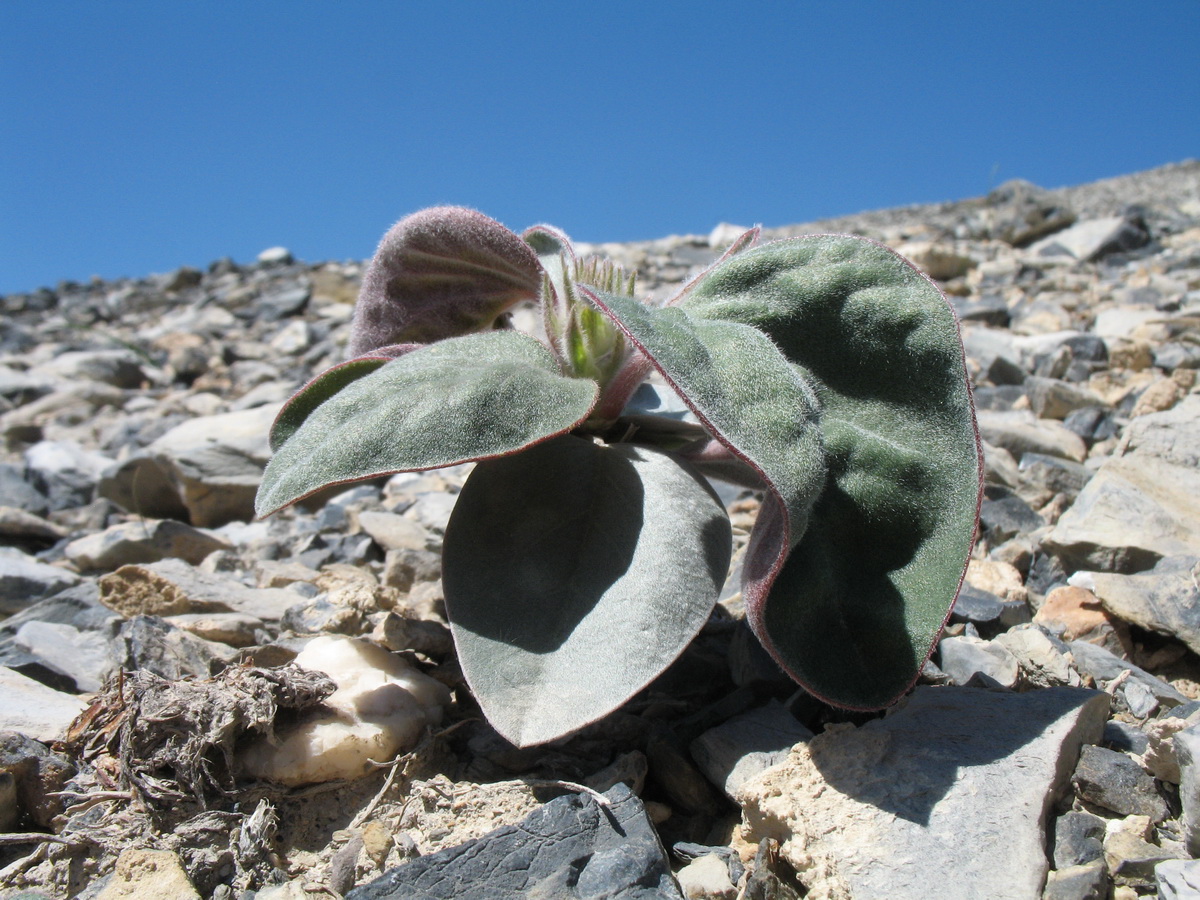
380	710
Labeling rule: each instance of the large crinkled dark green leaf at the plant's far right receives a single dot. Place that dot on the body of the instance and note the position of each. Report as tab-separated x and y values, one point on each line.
859	607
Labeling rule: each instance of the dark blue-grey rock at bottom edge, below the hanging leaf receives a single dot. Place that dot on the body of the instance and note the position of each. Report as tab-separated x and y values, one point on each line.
571	848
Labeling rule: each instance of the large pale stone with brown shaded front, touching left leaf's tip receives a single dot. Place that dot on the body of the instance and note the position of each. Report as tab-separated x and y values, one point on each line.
206	471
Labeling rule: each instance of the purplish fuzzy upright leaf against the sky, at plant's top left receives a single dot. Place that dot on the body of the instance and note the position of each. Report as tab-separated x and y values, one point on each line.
441	273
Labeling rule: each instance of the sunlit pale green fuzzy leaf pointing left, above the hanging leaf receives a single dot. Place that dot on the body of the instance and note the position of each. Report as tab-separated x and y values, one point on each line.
463	399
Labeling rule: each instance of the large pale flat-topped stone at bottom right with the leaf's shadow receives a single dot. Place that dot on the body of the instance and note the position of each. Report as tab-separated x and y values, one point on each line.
866	812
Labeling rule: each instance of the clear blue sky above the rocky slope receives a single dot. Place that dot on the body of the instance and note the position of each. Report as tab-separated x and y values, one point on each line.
139	137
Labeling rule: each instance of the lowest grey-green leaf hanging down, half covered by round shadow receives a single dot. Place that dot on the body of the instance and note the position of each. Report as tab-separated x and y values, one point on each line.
574	574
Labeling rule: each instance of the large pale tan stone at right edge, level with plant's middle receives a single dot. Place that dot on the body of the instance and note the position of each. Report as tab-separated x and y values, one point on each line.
1135	512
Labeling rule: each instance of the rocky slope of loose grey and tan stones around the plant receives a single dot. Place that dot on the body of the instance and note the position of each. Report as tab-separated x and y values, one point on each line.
1052	751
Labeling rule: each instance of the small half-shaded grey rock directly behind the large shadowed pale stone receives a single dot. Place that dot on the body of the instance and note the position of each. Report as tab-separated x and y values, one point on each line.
745	746
